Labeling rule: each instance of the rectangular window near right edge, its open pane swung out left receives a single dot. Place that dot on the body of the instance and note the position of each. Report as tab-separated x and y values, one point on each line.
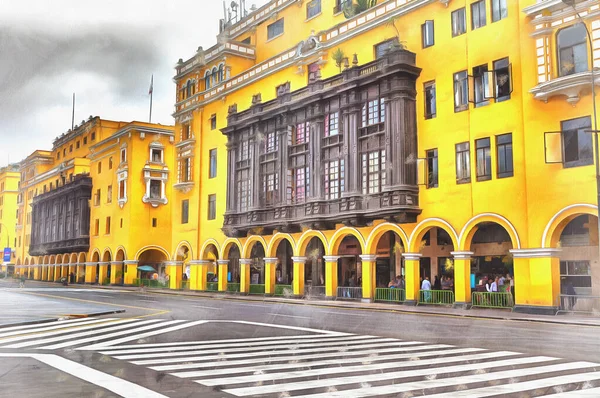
577	144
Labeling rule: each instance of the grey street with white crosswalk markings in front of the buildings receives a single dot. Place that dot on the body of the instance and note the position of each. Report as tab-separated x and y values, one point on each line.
181	346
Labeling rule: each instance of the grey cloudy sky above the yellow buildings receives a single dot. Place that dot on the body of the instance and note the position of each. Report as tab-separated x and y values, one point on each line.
104	51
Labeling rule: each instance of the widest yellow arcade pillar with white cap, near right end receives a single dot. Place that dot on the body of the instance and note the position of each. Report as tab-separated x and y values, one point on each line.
537	280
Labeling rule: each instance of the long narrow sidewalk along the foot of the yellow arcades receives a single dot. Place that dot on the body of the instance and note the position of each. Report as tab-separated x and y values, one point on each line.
473	313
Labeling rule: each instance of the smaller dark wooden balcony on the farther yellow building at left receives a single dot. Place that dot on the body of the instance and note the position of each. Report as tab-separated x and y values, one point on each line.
61	219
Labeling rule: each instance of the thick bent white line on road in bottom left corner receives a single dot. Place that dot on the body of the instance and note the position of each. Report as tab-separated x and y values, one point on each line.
116	385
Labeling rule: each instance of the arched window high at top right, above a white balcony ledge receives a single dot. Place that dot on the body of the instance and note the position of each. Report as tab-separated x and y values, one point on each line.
572	50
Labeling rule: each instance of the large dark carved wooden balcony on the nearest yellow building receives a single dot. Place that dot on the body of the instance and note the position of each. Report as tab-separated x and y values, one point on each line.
341	150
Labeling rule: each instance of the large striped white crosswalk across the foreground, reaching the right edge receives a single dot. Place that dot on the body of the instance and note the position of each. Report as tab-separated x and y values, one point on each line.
352	366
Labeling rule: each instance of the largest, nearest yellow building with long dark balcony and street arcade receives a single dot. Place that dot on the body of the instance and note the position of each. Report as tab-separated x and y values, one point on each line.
447	139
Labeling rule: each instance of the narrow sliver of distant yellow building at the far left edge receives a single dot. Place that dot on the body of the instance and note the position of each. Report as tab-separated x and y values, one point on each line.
9	196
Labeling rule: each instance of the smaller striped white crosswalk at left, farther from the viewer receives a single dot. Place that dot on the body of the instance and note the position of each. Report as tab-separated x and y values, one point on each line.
87	333
